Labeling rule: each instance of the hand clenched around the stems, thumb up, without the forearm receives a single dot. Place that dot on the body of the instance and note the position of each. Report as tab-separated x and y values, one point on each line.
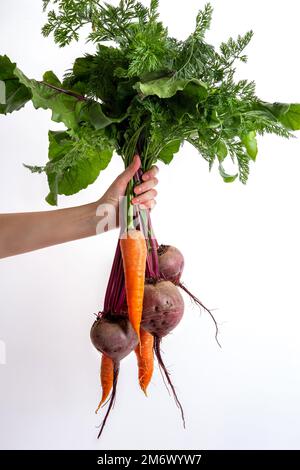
145	192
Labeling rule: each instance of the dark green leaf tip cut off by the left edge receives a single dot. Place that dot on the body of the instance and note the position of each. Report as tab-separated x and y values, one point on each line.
13	94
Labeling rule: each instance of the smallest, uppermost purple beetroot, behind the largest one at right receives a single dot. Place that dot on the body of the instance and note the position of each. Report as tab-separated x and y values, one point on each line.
171	263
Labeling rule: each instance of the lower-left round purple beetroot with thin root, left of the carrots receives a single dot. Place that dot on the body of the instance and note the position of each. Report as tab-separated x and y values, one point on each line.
114	336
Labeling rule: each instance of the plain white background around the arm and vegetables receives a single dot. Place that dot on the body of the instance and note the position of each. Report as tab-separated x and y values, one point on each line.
241	246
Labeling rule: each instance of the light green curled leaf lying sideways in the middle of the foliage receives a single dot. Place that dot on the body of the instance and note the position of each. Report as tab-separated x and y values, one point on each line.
168	87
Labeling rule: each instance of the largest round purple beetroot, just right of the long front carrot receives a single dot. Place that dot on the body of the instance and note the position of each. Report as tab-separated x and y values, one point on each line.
162	309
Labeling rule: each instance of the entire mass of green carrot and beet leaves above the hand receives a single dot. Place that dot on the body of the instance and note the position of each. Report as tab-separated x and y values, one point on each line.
144	91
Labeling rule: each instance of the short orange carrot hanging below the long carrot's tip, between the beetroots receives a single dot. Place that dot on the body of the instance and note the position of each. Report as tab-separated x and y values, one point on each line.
145	359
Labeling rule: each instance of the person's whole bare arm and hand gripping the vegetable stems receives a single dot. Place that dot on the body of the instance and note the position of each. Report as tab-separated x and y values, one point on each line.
29	231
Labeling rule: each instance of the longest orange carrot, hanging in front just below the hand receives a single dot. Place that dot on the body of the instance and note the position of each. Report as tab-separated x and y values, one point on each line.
134	254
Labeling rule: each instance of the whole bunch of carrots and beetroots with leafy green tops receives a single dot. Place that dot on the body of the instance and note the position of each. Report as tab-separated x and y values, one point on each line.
142	92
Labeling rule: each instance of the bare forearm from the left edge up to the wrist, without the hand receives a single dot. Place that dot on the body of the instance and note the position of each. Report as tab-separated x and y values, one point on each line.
20	233
